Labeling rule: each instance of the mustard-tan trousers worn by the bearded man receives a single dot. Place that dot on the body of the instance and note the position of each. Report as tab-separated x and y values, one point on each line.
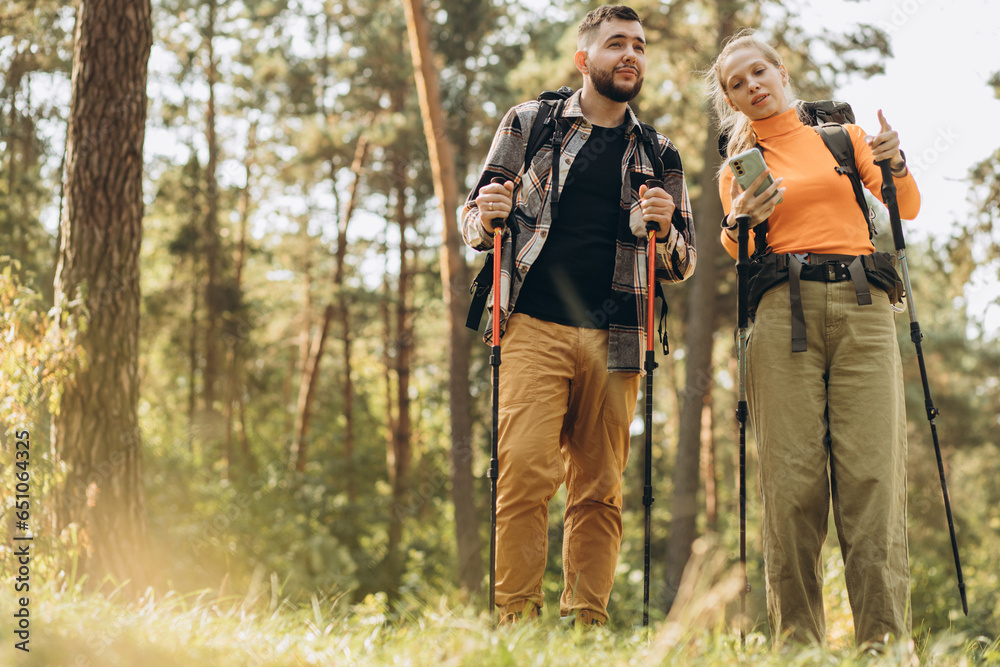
563	416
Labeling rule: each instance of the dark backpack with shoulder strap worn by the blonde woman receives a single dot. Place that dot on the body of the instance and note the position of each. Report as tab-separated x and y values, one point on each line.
827	118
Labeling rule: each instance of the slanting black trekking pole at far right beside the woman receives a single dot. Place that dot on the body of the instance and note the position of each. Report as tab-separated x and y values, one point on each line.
889	198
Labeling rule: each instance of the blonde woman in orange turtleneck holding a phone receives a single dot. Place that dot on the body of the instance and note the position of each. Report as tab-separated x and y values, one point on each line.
827	407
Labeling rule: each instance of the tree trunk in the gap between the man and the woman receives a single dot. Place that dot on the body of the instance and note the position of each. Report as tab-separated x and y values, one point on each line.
698	359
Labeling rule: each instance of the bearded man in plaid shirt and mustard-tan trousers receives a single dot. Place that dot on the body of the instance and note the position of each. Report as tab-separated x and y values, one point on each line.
572	312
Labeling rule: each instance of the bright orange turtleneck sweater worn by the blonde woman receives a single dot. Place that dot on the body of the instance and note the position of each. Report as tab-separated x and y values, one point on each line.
819	213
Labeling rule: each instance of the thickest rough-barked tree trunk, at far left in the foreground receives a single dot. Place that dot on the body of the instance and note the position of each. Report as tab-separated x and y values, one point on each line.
95	434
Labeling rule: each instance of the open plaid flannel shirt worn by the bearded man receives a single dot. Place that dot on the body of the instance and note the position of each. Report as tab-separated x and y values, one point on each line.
675	256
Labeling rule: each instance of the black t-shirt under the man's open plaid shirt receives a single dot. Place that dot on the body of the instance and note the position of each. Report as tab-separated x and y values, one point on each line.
570	281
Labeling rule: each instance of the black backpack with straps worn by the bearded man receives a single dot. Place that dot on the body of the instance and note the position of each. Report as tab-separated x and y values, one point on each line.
548	123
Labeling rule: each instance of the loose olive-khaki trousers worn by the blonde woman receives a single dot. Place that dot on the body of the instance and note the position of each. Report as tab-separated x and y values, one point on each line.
850	382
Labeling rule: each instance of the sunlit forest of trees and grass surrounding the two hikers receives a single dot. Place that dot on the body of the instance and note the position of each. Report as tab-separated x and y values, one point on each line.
233	295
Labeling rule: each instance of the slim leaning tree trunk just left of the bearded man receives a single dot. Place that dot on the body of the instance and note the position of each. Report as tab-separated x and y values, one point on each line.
455	276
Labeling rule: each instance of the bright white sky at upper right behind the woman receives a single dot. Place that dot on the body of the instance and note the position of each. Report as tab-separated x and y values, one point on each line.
935	94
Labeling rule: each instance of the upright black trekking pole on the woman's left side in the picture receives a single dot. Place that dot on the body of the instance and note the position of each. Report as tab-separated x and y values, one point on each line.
742	319
